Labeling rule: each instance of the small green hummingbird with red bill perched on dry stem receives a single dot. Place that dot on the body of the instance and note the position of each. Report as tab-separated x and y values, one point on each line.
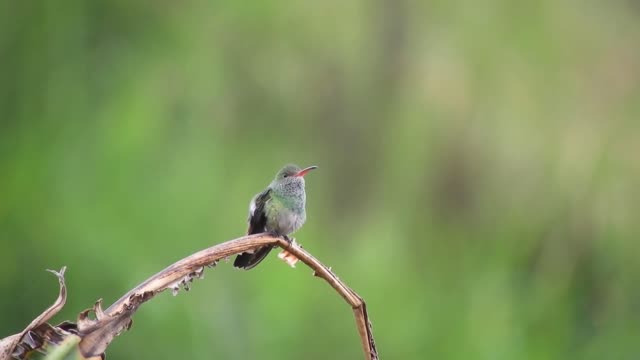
279	209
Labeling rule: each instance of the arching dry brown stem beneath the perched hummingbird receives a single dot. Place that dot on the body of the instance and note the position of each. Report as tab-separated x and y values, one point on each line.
96	334
